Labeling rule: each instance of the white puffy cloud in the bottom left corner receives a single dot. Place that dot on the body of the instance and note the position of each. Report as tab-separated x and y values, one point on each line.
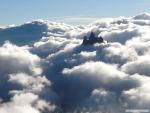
25	103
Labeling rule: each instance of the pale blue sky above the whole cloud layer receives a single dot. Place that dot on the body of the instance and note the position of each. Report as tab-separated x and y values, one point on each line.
19	11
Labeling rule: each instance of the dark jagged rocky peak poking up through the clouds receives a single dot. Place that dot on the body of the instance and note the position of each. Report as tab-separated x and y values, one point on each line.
92	40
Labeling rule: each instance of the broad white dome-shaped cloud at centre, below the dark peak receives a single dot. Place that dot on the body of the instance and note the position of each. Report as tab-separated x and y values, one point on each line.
100	73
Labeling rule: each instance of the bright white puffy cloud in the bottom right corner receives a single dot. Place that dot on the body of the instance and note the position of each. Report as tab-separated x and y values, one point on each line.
138	97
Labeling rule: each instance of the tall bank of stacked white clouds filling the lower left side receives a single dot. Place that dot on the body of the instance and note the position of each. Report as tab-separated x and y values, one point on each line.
21	81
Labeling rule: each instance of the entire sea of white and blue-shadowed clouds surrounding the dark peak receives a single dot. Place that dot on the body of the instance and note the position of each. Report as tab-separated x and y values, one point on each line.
44	68
